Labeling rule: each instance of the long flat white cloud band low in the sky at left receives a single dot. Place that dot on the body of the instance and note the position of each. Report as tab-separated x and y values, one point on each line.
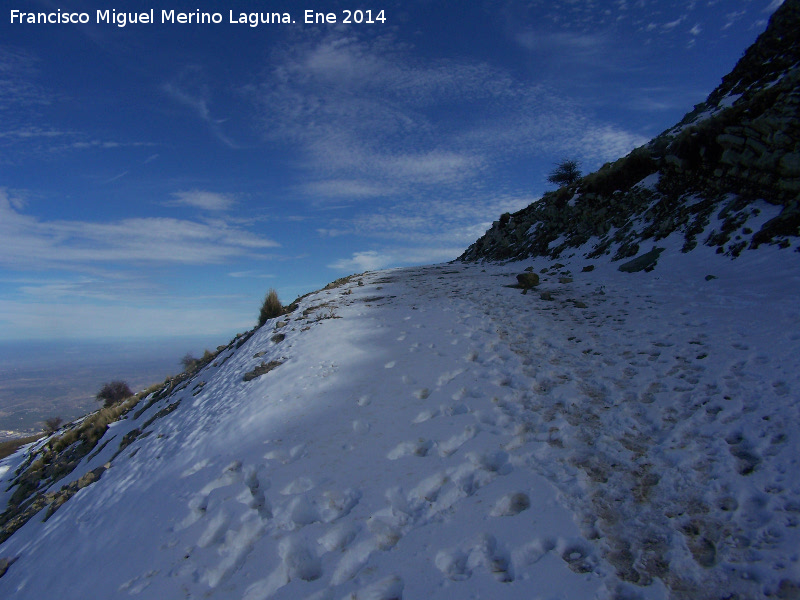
30	242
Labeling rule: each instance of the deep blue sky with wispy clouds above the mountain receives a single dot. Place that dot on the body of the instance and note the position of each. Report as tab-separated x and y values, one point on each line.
156	179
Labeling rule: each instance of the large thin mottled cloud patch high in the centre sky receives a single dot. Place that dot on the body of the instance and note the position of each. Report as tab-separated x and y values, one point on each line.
370	120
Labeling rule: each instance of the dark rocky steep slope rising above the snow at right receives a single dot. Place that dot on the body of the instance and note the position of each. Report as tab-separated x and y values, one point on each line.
734	157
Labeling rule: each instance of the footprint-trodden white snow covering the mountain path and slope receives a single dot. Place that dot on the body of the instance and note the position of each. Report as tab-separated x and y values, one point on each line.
438	434
